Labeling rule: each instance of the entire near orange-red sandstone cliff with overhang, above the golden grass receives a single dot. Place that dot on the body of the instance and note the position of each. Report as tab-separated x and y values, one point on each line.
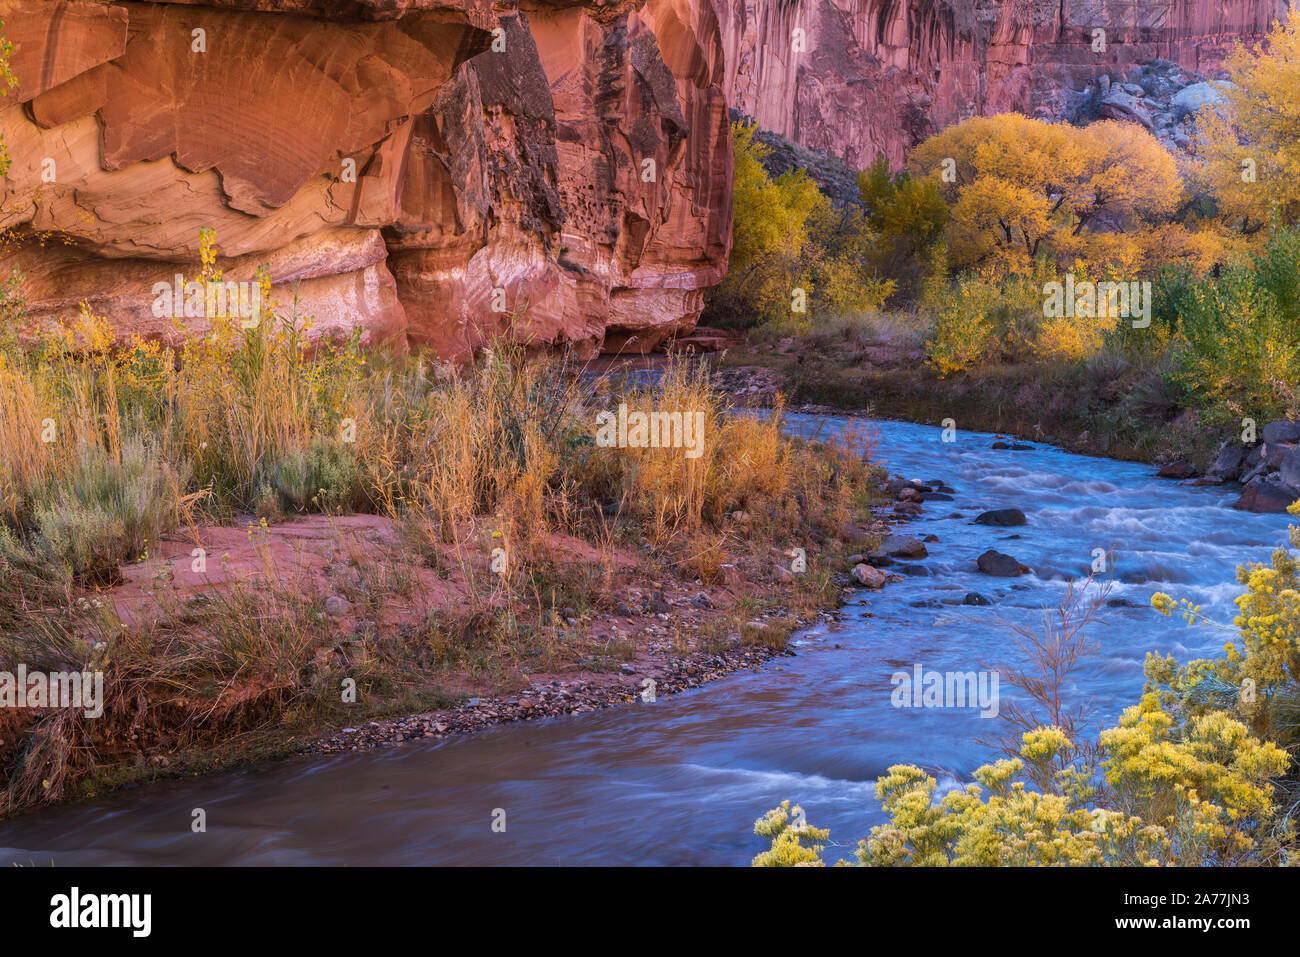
424	170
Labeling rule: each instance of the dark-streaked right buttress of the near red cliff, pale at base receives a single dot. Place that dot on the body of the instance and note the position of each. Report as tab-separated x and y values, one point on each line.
609	148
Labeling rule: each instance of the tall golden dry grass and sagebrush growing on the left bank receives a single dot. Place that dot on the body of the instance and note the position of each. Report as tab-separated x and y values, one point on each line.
500	458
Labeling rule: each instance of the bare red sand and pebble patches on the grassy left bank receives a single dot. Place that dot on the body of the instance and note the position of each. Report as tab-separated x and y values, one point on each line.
324	555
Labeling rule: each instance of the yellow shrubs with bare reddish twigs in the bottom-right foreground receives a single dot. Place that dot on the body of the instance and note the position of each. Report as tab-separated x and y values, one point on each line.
1201	772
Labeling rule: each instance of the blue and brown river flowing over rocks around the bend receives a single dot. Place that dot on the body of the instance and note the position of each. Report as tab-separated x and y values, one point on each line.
682	781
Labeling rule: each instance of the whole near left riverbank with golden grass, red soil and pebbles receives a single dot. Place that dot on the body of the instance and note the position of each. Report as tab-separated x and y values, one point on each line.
257	540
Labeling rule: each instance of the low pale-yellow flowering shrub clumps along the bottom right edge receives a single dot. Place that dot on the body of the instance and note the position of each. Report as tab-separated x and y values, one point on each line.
1167	799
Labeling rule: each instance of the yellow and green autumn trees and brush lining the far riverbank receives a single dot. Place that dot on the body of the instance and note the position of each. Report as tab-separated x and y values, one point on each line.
959	254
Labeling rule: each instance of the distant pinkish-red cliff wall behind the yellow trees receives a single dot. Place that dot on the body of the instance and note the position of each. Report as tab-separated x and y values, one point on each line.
870	77
